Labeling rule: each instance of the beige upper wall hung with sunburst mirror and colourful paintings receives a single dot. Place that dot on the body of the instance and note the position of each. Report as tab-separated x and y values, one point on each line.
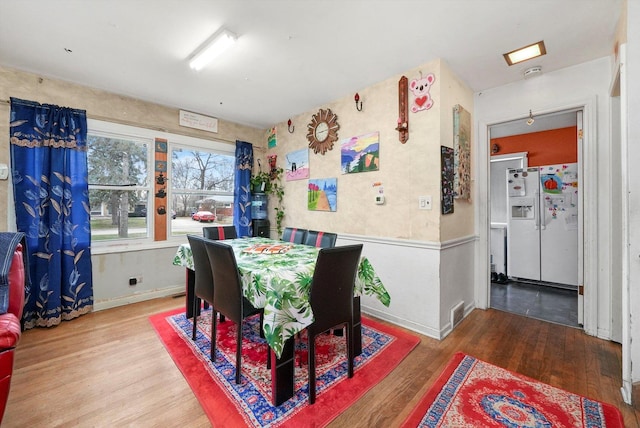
407	171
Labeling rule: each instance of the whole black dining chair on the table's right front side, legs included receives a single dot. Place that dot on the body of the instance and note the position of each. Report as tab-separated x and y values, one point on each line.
331	300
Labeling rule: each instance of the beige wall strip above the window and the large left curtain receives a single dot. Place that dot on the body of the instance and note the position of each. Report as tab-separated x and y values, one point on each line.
99	105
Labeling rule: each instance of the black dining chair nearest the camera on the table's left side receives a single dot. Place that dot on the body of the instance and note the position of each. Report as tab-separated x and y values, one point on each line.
227	296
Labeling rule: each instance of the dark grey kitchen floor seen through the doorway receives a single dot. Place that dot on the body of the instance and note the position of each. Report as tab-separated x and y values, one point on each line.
541	302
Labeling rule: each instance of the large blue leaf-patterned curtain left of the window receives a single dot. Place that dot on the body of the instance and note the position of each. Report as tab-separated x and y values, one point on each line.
49	170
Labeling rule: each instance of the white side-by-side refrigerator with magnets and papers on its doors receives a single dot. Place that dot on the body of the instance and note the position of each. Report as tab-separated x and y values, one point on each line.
542	223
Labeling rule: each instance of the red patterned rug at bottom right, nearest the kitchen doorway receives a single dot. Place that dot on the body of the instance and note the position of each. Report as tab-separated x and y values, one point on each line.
473	393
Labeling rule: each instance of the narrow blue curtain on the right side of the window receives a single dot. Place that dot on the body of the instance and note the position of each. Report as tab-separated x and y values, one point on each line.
242	189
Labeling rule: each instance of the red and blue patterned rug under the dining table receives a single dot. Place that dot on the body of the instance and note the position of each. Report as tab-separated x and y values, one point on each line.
249	404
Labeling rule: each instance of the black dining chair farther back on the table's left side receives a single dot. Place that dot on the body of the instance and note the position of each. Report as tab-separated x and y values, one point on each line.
203	280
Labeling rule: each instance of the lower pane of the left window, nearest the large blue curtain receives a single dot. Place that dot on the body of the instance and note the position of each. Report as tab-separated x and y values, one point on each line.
118	214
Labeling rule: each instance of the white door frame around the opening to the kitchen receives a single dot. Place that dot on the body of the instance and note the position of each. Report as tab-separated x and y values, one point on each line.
587	159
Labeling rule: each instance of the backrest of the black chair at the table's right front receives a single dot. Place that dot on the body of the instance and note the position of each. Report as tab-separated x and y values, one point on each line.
331	295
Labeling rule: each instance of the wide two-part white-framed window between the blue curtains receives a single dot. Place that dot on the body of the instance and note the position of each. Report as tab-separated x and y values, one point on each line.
122	176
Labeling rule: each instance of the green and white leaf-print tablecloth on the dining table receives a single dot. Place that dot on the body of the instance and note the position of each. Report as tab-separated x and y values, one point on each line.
279	282
